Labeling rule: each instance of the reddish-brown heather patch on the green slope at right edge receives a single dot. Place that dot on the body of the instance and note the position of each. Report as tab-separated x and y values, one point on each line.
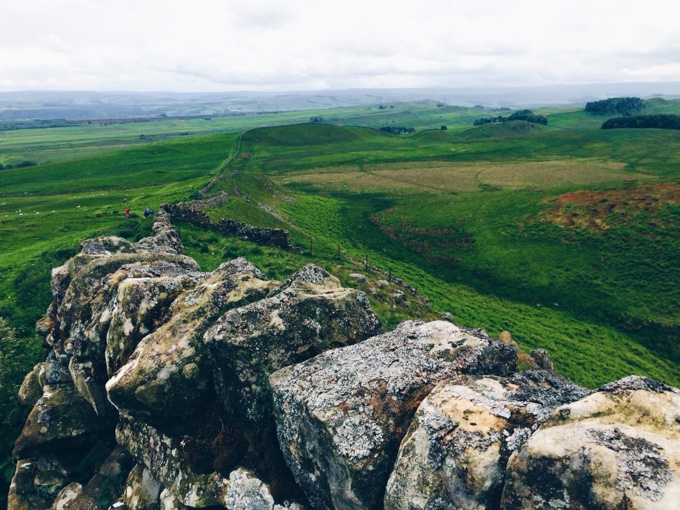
596	210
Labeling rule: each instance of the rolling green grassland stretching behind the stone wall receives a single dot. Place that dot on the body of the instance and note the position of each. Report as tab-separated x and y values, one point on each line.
565	235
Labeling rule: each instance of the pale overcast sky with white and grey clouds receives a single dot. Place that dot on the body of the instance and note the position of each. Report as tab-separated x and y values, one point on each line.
286	45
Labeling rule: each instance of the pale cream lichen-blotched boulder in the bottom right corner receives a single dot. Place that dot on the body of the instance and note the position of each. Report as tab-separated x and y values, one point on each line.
618	448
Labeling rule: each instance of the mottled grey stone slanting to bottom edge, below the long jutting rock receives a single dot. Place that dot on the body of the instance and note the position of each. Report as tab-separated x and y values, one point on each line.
165	458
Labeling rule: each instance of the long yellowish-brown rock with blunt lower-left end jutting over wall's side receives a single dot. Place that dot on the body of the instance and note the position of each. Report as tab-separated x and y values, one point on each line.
170	368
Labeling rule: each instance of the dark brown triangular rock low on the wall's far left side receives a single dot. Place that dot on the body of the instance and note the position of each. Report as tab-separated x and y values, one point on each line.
60	419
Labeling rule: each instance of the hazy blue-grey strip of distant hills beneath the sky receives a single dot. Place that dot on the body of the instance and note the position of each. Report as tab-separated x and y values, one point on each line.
42	104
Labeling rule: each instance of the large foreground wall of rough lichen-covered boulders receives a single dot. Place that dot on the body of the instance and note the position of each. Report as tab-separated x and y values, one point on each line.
165	387
